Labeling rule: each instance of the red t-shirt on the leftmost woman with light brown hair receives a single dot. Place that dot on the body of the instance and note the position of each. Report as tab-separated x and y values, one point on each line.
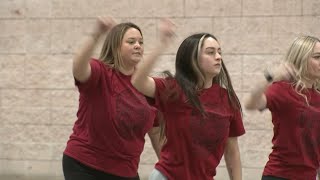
113	118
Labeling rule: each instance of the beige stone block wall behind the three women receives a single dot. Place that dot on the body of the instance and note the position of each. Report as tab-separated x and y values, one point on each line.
38	100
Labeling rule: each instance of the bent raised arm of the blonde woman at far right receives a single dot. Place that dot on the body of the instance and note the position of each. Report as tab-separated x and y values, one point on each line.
257	99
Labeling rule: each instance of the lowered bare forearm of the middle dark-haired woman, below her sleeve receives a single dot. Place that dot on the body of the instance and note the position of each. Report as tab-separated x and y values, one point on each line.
232	158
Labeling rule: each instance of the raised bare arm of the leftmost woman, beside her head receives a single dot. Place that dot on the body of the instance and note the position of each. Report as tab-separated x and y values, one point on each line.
81	68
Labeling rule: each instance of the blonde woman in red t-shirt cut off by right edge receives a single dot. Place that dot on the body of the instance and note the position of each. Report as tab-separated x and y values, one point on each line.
291	92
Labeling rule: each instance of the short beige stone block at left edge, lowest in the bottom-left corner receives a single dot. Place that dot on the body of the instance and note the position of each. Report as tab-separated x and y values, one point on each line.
10	166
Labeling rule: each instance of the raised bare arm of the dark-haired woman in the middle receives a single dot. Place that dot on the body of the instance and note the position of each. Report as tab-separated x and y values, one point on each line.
140	79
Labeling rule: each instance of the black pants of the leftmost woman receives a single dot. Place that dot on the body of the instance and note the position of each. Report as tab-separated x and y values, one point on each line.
74	170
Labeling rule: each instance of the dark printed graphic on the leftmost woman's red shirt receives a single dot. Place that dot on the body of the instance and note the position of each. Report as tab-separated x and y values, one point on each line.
131	116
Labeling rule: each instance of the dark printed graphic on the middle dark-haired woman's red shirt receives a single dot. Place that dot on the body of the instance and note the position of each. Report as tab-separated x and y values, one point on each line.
208	133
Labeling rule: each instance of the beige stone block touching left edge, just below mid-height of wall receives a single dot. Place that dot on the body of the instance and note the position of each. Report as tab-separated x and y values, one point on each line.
23	97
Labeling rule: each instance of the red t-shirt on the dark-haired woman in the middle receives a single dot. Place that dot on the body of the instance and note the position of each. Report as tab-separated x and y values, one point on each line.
194	144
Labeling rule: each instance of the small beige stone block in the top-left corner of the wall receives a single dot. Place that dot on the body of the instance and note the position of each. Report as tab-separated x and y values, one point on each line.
12	9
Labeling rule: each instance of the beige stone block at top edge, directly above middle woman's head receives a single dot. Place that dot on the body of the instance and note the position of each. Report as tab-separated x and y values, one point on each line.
212	8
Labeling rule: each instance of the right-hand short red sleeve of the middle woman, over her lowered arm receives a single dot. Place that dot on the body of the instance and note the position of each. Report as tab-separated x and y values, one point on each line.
236	125
